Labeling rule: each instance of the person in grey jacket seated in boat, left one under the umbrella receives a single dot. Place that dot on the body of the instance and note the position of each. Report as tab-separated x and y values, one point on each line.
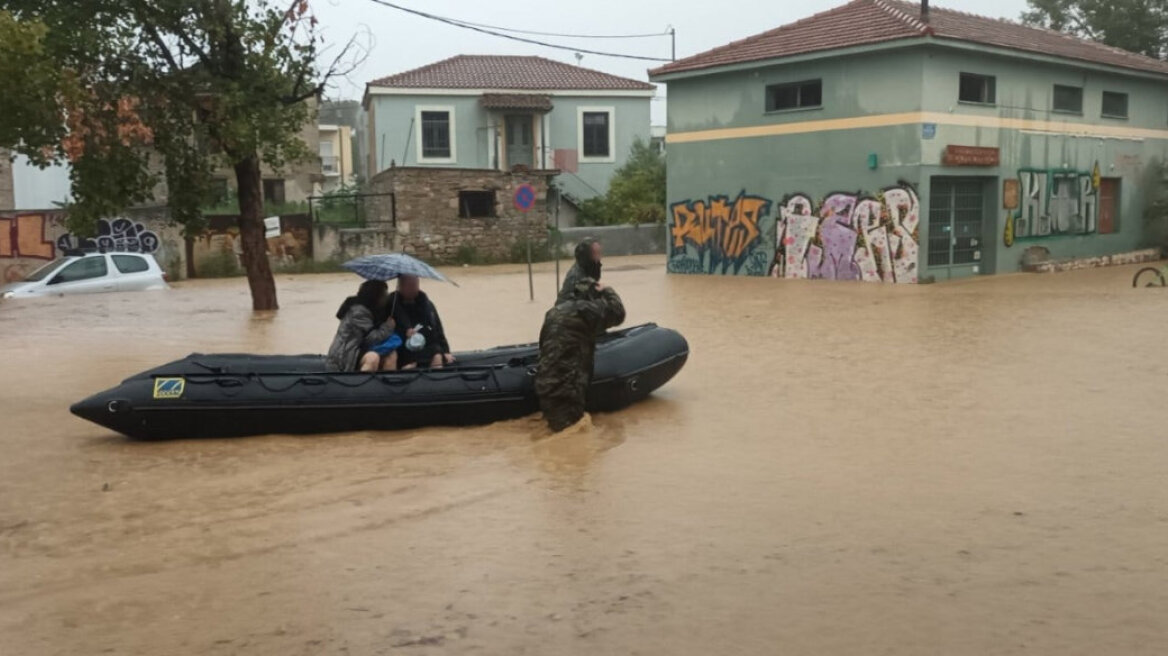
365	340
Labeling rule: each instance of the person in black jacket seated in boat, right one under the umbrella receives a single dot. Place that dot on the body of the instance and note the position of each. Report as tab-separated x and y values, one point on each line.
419	326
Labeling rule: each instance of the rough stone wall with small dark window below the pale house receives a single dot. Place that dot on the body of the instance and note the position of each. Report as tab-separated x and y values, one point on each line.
428	222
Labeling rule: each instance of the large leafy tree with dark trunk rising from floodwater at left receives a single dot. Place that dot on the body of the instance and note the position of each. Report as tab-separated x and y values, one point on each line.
135	93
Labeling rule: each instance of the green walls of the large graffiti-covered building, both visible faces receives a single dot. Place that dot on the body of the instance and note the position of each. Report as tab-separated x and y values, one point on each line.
844	192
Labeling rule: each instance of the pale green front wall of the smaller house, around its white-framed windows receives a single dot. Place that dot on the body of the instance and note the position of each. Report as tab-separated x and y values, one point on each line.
478	135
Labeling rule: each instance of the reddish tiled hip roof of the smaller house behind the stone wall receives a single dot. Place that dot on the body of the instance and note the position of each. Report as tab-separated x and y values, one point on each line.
509	72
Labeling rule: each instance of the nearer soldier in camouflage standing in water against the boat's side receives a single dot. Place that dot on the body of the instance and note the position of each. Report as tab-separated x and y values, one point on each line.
567	350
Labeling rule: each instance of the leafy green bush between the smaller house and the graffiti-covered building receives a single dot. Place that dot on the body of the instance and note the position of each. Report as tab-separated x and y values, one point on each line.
636	192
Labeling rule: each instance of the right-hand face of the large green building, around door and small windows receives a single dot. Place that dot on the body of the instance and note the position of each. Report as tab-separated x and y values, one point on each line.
1132	152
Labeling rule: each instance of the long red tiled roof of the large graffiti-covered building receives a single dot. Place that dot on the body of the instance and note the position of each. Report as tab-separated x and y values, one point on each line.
877	22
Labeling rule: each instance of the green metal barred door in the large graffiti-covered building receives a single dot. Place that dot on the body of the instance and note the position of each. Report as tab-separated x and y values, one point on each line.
957	213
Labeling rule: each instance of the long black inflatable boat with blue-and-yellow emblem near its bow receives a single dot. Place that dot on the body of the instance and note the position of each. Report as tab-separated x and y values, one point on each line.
207	396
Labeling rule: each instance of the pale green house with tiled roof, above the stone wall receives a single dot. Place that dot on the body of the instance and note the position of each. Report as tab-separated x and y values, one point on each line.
500	113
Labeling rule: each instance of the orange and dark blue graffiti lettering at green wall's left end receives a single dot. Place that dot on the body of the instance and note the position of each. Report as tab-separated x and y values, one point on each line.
719	235
